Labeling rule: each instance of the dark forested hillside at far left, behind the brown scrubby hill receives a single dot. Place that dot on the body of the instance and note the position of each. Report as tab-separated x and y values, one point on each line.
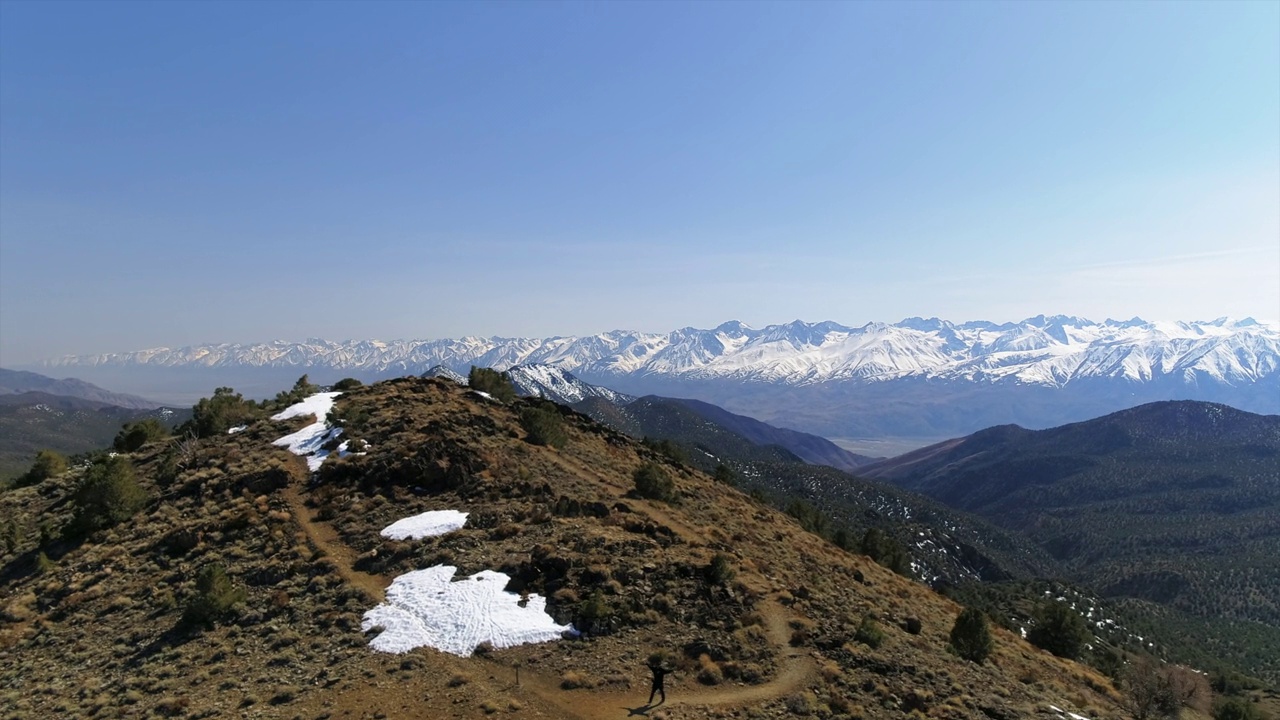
31	422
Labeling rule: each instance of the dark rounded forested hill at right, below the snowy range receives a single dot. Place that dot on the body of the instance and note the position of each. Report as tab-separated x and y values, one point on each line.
1171	503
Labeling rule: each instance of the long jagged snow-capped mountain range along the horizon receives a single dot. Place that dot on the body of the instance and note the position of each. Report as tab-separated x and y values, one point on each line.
1052	352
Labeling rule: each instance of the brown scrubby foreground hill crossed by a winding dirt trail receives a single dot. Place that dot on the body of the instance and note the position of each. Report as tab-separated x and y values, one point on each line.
758	617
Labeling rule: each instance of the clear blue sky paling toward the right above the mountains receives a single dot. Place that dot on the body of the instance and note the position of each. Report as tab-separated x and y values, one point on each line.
180	174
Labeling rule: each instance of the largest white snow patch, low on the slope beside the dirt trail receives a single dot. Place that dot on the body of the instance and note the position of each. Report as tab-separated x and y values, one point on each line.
427	608
